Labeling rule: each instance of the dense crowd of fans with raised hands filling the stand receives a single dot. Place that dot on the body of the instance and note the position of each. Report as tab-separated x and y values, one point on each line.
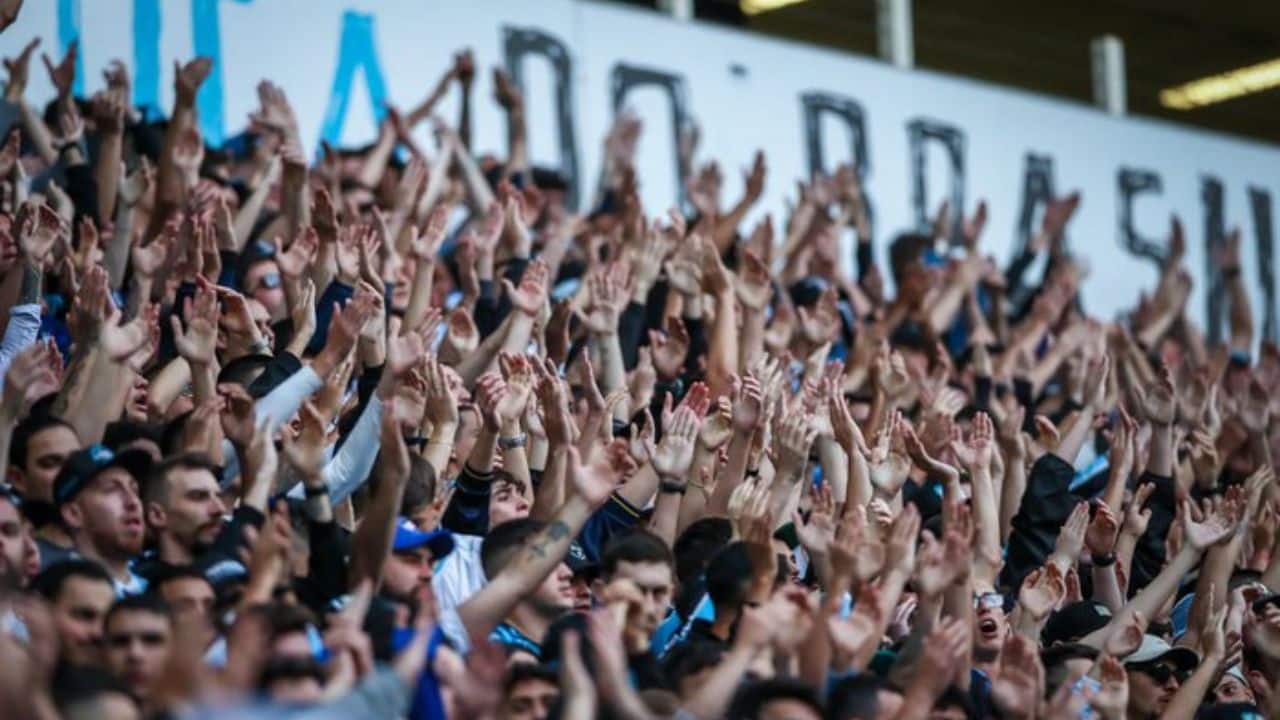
399	434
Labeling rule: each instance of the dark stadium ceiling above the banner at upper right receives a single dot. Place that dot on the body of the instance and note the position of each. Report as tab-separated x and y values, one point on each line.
1044	45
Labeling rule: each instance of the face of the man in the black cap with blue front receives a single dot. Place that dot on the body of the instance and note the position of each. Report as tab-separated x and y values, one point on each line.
109	514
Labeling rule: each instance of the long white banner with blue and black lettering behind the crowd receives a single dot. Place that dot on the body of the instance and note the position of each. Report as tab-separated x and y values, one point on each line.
920	136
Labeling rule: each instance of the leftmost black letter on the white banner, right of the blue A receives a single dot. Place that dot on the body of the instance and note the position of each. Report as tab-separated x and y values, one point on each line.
520	43
